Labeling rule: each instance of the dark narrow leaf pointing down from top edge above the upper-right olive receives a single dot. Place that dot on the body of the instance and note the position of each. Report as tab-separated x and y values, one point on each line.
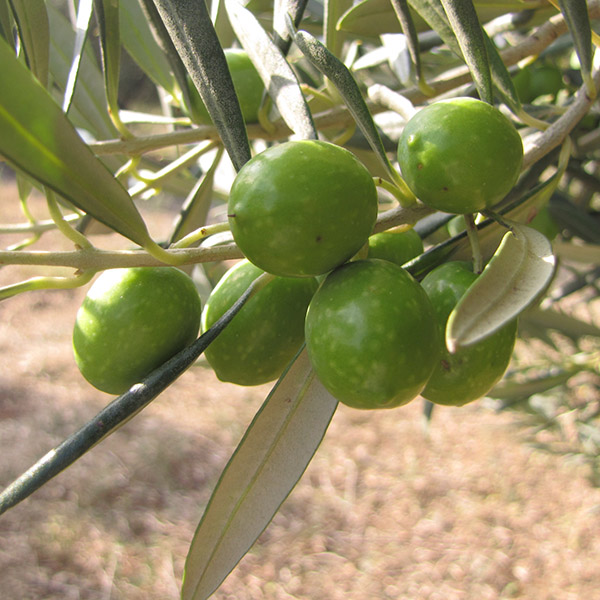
466	26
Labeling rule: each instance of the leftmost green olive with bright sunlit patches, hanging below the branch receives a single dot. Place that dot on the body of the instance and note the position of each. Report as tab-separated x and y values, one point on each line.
132	321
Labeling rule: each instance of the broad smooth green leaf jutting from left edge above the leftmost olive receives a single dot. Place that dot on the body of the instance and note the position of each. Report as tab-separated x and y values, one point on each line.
39	139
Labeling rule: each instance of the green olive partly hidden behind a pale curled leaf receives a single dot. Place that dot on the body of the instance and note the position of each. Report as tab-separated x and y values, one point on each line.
472	371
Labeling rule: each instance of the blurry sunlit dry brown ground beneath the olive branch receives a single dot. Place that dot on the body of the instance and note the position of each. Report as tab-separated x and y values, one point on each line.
465	512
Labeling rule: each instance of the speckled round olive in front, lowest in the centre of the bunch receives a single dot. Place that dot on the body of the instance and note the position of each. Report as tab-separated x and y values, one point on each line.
371	335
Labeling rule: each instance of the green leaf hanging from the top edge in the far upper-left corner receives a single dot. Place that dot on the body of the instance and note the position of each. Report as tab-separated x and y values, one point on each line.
34	33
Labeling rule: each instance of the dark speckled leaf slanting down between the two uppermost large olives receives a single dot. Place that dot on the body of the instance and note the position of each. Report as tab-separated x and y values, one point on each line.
335	70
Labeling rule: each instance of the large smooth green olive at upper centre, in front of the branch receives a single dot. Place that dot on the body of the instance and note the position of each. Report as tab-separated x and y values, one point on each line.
302	208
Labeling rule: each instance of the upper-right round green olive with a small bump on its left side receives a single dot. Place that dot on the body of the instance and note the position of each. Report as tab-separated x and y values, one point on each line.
460	155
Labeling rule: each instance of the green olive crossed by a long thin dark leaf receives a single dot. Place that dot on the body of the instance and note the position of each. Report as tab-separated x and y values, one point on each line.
265	334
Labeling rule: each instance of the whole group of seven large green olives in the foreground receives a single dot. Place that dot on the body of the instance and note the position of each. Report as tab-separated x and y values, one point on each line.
304	212
